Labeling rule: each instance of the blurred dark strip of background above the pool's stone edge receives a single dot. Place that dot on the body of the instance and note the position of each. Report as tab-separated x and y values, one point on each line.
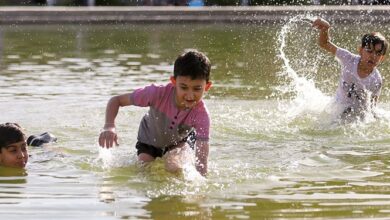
187	2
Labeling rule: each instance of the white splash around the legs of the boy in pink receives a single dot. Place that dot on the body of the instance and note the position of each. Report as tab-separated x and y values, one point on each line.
159	181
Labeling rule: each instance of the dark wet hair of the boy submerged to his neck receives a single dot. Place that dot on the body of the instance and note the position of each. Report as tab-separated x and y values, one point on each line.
10	133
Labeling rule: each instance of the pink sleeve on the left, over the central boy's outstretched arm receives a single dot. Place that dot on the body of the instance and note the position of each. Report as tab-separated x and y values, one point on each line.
146	96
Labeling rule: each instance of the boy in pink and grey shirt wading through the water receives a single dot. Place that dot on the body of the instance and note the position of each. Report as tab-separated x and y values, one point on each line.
177	115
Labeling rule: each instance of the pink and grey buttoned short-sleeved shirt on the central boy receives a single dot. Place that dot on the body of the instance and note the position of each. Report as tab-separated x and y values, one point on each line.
166	125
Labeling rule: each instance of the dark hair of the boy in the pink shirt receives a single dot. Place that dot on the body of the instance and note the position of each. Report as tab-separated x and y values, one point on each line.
193	64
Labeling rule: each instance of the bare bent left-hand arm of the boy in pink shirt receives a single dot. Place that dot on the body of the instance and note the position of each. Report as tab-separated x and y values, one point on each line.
108	136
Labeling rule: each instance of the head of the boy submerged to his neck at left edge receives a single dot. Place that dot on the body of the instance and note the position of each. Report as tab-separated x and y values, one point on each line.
13	147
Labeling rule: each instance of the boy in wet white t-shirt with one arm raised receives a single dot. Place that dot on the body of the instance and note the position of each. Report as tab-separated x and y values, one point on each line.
360	81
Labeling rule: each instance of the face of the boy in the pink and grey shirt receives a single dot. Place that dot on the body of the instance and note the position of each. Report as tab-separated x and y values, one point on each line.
189	92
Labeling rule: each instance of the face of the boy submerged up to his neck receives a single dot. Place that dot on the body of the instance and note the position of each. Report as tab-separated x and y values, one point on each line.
14	155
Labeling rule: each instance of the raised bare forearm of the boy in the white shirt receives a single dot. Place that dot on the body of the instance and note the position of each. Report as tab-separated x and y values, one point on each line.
324	39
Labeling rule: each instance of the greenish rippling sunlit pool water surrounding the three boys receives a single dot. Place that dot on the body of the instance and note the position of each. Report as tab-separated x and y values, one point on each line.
277	147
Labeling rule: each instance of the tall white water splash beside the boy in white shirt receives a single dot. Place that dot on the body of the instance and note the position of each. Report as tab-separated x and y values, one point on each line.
298	66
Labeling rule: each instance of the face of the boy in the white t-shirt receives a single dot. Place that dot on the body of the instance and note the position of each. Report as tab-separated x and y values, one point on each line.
371	55
